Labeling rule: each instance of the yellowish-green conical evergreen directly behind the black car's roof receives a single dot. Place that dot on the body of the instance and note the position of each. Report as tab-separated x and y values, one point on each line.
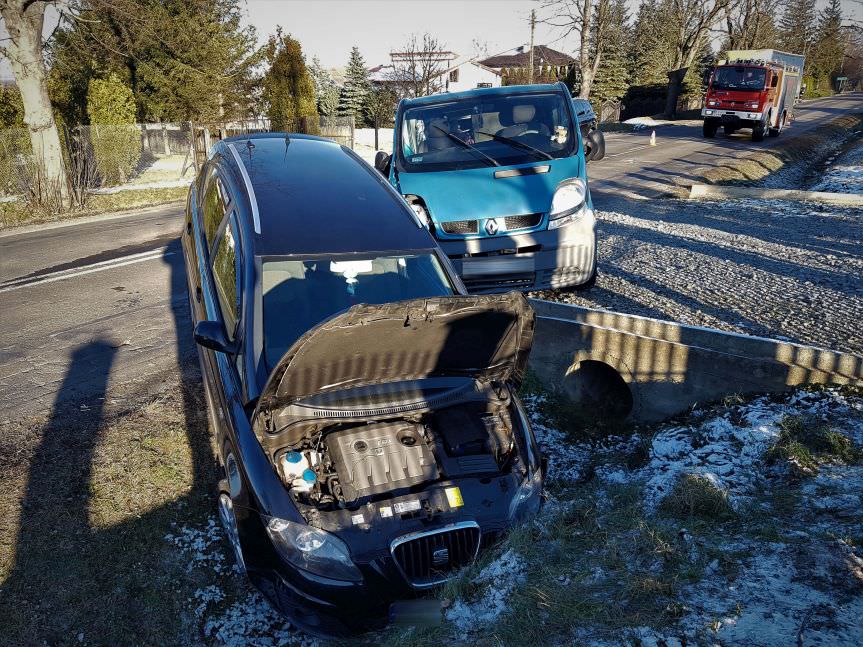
289	92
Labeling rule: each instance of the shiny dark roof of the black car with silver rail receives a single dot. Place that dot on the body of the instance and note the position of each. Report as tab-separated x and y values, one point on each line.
310	195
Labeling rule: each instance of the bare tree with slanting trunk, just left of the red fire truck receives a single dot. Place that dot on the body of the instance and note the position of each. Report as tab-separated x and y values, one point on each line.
689	22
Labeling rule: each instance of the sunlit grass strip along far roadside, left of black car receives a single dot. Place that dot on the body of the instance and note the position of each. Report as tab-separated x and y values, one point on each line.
18	213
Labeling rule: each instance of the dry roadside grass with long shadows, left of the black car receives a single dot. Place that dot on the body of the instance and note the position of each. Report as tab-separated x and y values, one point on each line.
87	504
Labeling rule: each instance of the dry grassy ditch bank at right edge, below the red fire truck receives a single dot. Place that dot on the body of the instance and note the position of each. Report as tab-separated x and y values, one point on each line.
792	161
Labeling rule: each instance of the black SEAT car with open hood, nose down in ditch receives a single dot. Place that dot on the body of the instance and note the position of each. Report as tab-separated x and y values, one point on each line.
365	408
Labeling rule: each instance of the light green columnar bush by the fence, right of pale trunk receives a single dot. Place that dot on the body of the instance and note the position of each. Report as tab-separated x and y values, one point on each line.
113	135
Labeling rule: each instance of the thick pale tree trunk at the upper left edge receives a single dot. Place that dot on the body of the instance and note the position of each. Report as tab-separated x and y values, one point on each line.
24	50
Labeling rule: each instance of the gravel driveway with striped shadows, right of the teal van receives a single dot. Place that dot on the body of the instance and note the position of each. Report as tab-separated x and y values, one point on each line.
775	269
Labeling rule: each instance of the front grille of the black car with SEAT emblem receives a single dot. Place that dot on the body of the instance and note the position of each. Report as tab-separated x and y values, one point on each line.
429	558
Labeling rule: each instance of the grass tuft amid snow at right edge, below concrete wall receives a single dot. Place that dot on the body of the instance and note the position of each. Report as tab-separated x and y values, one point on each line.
805	442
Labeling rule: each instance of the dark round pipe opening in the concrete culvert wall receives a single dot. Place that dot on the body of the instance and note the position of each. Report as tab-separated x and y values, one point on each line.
596	385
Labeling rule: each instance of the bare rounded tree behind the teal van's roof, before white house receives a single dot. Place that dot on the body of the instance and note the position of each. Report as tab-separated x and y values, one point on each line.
419	66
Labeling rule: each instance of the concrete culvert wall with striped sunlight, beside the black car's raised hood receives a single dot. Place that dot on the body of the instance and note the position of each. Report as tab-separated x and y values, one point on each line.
650	369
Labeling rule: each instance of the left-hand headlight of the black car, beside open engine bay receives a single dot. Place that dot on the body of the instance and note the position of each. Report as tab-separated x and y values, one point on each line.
312	550
